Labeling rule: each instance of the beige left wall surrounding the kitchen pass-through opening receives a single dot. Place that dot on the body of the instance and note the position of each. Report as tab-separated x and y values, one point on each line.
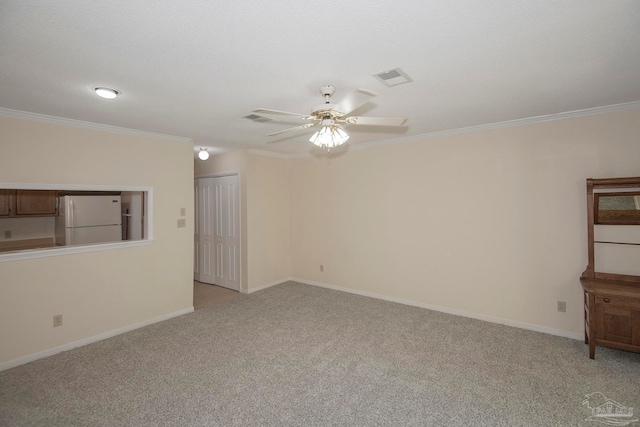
102	291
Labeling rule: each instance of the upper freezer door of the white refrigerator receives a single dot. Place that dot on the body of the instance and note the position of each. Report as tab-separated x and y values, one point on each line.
87	211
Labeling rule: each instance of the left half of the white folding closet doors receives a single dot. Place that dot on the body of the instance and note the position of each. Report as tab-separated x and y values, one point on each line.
204	256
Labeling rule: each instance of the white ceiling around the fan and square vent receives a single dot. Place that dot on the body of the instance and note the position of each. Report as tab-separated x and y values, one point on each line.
196	68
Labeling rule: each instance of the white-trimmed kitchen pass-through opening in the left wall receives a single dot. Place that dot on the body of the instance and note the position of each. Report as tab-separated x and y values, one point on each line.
39	219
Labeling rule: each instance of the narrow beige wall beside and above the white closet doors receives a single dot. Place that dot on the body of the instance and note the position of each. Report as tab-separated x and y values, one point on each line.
264	206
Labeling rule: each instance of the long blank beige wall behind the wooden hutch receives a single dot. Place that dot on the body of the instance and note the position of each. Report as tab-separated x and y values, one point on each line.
489	223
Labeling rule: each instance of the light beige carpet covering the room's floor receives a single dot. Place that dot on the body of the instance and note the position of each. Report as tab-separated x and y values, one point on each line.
297	355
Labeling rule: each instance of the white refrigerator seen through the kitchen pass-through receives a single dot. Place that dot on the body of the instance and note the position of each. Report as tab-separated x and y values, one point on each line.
84	219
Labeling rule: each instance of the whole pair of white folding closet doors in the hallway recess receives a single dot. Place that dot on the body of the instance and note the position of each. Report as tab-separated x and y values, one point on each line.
216	236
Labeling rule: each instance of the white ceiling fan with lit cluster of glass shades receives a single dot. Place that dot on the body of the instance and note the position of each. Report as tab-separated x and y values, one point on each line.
329	116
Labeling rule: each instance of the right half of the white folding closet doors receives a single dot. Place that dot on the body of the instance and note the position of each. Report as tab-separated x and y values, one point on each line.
226	232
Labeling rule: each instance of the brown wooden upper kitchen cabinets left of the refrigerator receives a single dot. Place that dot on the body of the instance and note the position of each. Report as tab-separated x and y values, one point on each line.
18	203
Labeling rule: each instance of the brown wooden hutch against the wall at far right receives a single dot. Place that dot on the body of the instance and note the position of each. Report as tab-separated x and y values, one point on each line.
611	281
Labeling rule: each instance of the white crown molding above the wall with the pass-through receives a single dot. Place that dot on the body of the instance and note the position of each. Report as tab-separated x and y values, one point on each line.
16	114
